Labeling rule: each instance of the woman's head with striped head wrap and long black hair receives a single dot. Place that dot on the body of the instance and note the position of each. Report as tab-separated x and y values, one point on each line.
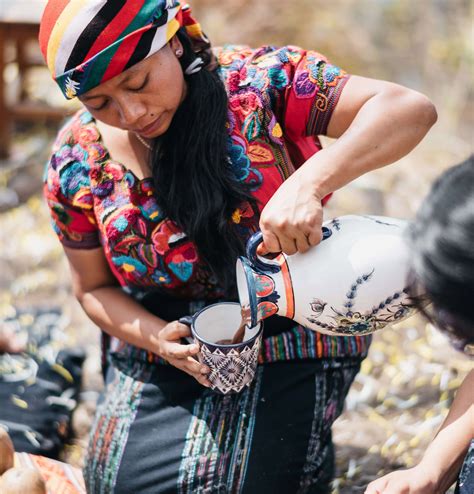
146	67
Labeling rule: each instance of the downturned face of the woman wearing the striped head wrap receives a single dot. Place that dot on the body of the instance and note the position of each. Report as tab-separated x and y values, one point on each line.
144	98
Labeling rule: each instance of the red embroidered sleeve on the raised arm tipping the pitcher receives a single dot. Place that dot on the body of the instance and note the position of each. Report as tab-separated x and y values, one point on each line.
312	93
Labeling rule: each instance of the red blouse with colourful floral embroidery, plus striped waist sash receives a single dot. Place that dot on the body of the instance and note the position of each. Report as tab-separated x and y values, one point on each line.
280	100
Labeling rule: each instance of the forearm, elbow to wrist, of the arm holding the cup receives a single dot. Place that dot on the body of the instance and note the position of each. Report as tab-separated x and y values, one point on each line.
119	315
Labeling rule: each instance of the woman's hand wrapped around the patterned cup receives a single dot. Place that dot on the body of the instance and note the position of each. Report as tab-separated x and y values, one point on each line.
181	356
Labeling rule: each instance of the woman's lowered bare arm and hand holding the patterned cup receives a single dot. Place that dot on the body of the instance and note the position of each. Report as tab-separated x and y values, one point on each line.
119	315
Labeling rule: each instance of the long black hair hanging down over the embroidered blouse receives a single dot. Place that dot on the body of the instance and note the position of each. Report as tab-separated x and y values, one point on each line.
194	181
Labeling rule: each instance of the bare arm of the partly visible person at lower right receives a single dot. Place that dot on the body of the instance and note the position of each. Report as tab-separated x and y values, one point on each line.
442	461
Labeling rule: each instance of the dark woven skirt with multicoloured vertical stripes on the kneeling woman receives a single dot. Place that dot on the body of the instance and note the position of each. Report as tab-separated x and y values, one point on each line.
158	431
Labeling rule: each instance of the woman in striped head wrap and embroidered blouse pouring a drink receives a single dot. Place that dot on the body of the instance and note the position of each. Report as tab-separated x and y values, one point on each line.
180	155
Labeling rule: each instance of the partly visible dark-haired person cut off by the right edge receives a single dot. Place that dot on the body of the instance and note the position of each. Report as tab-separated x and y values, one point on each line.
443	265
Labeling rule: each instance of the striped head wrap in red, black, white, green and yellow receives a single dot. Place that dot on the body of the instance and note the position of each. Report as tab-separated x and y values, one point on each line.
87	42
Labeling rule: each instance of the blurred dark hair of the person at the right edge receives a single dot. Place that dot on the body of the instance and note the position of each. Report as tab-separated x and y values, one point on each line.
442	239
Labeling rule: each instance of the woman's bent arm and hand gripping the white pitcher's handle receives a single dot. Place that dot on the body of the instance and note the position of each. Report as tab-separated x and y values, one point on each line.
375	123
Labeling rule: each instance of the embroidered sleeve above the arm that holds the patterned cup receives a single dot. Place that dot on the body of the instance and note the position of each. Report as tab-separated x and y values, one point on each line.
68	194
